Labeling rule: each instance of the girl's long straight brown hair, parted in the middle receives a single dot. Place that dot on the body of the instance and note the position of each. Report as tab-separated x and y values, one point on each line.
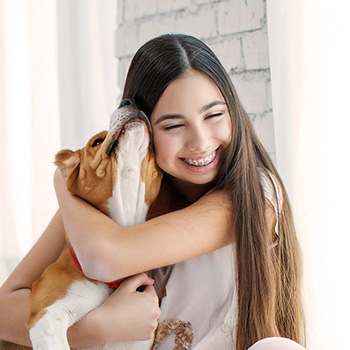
269	278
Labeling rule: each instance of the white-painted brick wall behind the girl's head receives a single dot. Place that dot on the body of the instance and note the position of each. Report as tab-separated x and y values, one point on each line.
235	29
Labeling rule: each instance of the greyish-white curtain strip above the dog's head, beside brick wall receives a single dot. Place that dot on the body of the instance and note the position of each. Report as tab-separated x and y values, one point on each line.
87	67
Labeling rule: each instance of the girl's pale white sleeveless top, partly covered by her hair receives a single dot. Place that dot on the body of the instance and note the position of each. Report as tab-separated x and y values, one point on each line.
202	291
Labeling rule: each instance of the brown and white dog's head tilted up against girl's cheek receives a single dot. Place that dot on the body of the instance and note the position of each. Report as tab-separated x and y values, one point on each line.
109	171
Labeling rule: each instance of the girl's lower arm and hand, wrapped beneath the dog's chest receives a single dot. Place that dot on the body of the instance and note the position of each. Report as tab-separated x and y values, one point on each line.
133	314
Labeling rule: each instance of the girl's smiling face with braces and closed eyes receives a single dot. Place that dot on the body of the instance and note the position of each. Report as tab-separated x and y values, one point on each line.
192	127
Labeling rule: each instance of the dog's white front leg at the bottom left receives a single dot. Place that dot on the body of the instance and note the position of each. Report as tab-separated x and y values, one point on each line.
50	331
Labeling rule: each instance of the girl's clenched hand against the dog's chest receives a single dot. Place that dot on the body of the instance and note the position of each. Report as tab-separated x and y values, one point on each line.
129	314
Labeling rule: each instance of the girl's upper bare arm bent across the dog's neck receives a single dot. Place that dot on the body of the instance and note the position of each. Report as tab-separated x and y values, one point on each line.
108	251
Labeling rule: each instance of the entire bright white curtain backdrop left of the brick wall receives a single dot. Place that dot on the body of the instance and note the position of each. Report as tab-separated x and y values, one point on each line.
57	88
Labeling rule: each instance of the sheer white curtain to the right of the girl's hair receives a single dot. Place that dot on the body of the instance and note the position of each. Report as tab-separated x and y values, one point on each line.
309	58
